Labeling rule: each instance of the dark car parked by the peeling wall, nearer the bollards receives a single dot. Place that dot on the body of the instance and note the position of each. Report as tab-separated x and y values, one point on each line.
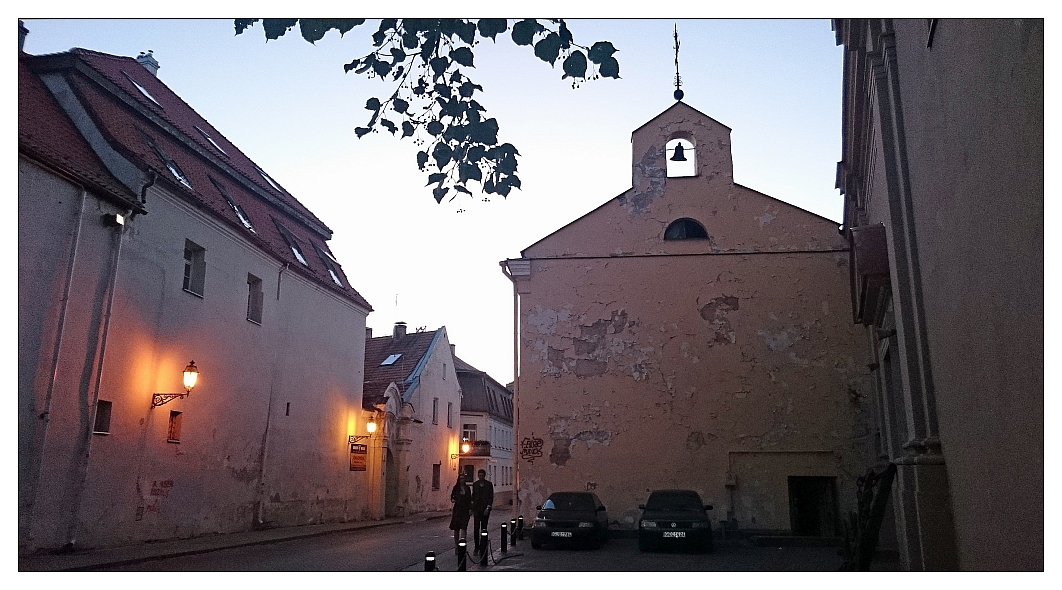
571	517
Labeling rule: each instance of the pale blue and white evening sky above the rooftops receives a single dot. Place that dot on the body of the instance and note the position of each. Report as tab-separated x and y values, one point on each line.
290	108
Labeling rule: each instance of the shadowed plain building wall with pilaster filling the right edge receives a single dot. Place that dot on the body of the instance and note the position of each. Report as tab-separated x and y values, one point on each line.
943	173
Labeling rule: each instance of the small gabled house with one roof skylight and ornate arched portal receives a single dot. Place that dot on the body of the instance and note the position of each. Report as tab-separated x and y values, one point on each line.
414	392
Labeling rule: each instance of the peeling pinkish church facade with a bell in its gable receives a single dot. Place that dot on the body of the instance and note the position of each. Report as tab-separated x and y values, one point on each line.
692	334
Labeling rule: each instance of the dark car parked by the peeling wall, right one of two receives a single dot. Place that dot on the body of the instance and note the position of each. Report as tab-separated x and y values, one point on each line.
675	518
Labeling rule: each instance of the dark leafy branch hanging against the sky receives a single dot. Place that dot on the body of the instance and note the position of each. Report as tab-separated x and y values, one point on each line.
434	102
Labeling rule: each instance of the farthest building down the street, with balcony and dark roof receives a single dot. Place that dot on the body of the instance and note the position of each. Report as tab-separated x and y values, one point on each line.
487	428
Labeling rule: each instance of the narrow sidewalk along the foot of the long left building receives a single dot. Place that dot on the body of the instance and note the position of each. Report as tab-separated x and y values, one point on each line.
143	552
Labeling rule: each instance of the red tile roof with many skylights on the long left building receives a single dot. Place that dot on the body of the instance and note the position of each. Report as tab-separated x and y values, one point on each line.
131	123
